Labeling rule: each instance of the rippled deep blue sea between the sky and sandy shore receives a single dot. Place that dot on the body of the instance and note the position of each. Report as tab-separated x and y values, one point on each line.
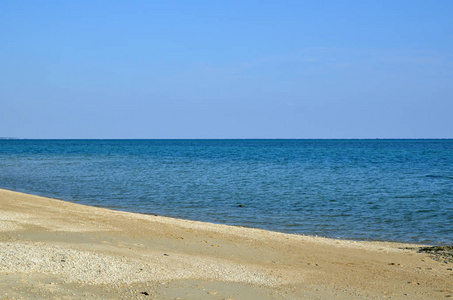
397	190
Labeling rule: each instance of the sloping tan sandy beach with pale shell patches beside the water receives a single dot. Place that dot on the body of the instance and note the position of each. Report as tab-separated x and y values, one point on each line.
52	249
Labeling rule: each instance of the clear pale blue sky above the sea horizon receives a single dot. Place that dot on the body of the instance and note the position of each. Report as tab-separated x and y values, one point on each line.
226	69
